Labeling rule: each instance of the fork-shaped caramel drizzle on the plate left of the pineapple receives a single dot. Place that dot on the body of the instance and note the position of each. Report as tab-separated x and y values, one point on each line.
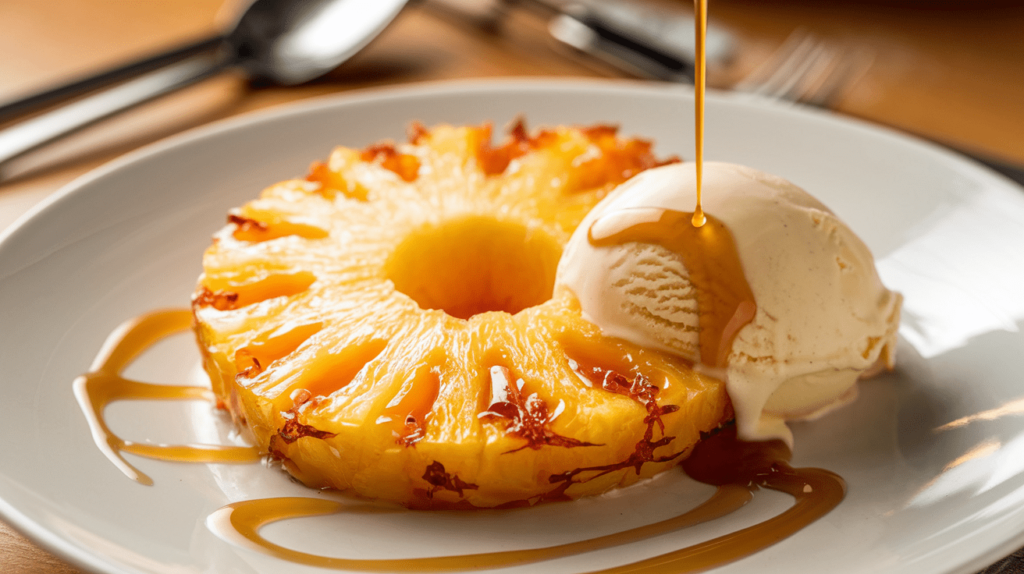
104	385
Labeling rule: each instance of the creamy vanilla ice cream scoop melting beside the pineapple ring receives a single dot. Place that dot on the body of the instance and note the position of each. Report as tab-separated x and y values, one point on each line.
824	319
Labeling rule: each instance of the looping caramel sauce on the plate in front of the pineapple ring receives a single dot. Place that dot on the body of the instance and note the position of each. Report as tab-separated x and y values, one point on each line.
738	470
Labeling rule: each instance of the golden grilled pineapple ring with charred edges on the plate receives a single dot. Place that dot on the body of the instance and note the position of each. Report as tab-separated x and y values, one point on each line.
387	327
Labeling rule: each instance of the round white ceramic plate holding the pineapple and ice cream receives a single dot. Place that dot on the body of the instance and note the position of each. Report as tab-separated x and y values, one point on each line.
127	239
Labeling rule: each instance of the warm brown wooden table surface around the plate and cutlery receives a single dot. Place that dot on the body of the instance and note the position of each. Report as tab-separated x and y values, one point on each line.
948	71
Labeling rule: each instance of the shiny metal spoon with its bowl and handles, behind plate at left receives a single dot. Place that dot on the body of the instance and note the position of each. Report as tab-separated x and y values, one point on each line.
283	41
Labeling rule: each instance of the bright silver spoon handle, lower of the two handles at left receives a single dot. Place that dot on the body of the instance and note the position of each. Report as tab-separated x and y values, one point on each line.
32	134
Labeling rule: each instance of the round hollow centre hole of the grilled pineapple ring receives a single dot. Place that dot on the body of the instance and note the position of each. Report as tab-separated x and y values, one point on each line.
476	266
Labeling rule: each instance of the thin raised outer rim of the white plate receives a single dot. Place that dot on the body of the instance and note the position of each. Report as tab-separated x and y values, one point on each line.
49	541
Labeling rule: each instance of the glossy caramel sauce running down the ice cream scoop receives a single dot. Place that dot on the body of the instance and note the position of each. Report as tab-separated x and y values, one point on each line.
709	253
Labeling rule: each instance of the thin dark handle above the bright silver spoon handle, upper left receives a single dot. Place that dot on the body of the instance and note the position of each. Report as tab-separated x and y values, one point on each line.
13	110
